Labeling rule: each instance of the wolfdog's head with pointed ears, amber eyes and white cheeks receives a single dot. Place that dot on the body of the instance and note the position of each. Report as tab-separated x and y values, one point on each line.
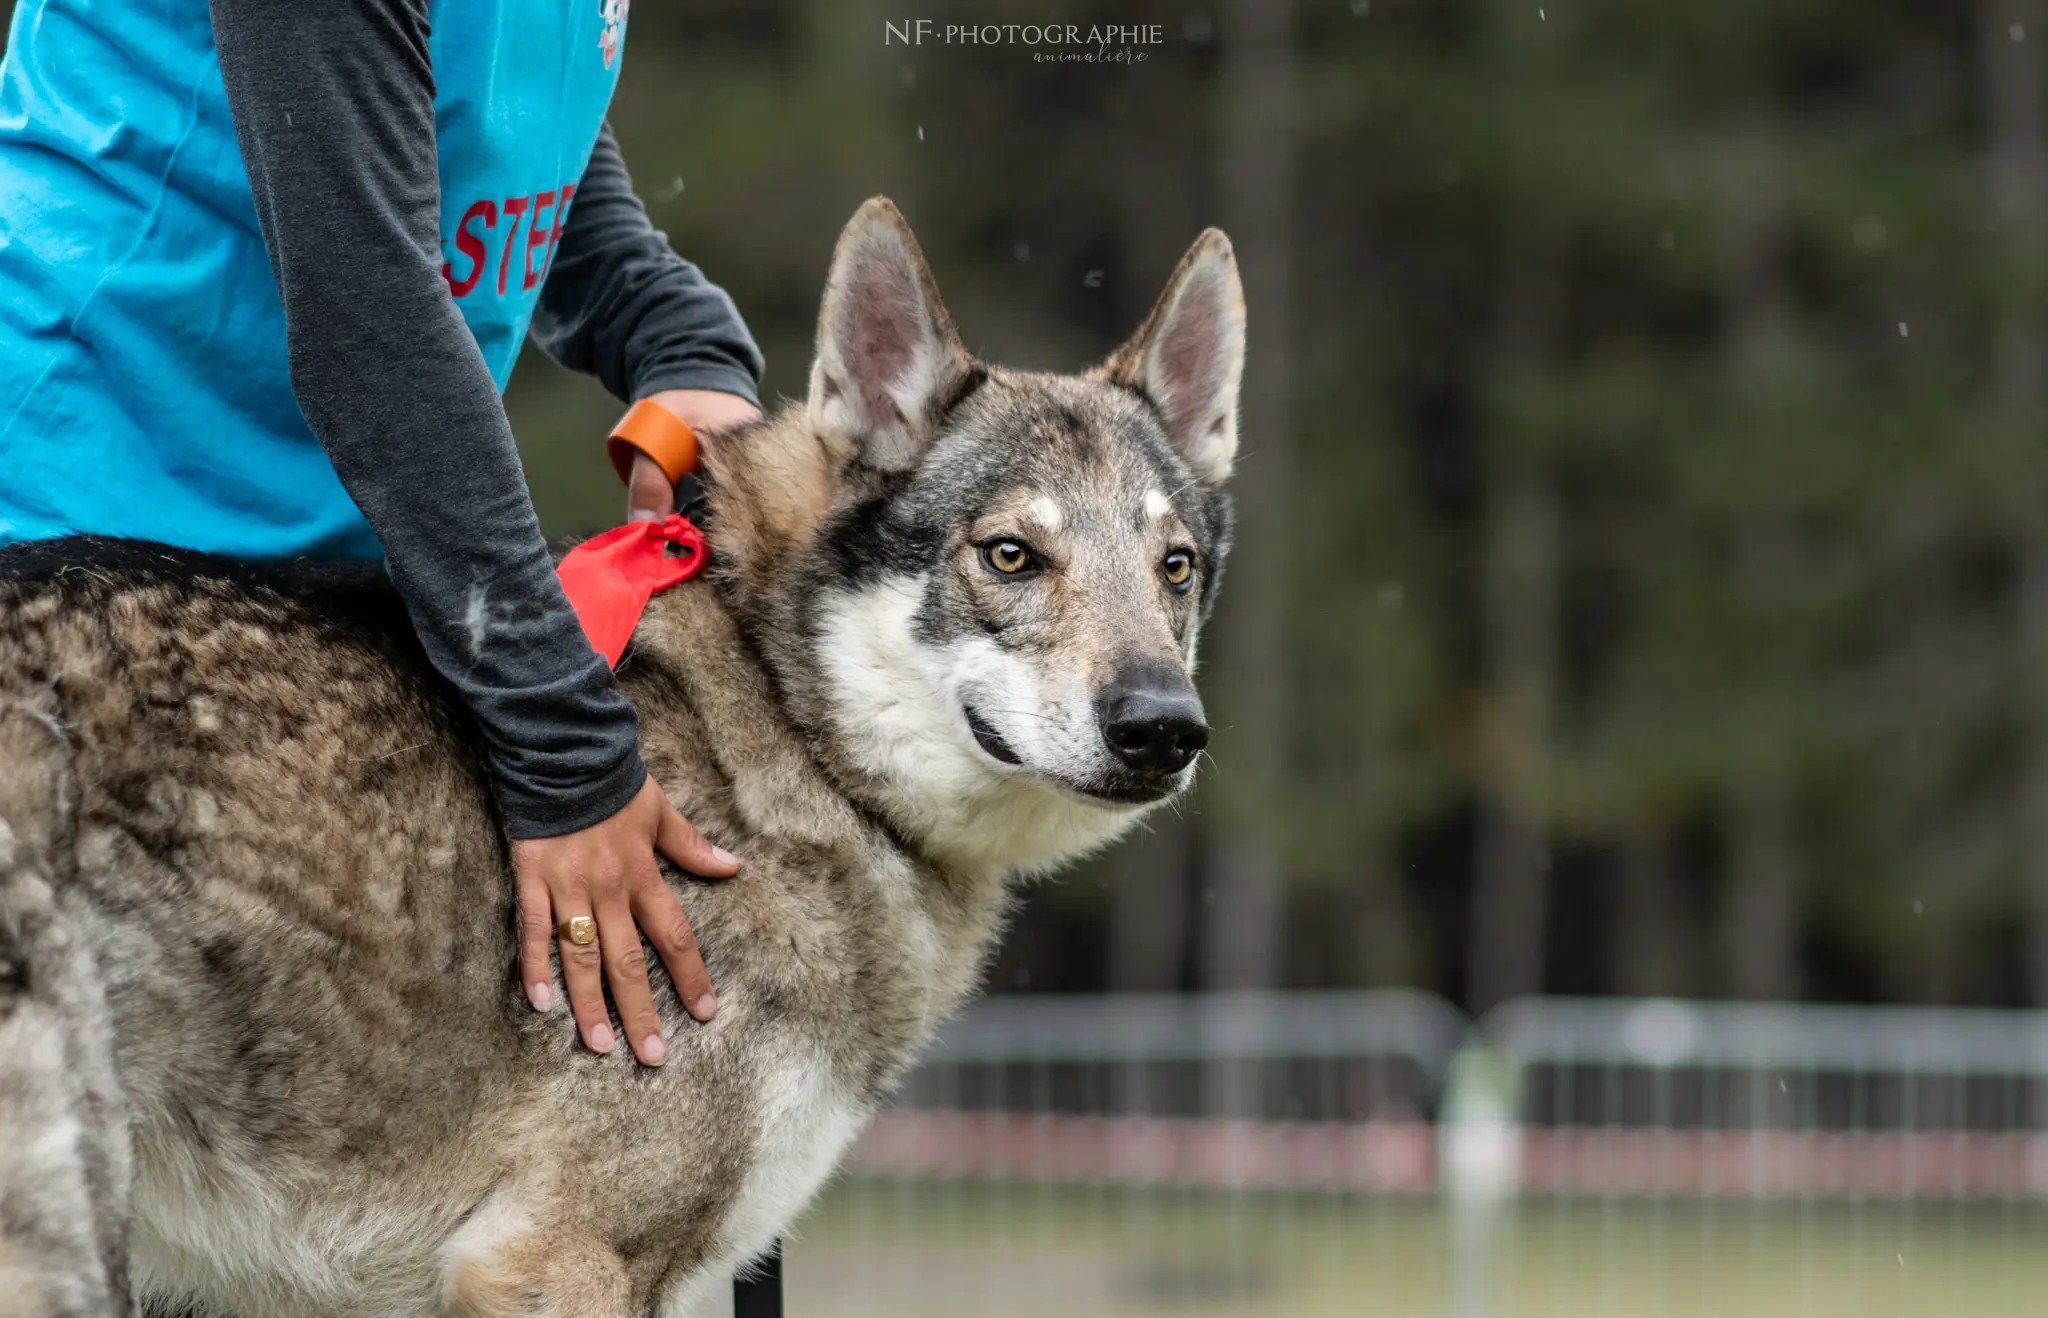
998	578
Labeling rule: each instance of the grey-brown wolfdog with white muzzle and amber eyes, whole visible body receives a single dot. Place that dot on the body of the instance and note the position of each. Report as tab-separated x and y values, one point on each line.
263	1045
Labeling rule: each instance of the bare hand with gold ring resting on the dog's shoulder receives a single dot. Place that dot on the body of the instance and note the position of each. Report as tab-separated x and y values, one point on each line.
607	873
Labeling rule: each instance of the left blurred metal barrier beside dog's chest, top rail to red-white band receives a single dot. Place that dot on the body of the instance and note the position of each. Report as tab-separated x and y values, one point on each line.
1277	1092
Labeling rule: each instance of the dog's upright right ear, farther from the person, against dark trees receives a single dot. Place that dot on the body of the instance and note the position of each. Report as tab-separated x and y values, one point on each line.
1191	357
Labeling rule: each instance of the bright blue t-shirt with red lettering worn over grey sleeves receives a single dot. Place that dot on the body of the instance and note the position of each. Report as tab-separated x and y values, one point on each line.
140	322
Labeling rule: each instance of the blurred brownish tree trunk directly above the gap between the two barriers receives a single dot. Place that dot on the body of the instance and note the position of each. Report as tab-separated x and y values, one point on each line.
1521	599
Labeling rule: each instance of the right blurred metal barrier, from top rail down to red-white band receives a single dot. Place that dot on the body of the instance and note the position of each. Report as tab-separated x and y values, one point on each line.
1768	1100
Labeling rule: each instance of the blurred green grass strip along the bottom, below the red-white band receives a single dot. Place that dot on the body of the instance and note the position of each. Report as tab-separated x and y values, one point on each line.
921	1251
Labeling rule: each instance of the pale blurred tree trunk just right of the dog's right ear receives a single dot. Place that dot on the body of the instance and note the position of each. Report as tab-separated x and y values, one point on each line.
1244	920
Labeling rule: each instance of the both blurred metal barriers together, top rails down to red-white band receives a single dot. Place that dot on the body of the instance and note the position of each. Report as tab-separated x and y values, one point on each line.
1359	1092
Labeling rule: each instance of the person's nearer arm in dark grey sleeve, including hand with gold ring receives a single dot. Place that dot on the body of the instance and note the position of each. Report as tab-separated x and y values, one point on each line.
335	116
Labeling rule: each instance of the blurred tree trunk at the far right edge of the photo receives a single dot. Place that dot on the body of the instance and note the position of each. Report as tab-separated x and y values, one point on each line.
2018	171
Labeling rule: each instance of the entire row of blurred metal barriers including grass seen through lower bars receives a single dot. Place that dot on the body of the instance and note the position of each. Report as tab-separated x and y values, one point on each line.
1375	1153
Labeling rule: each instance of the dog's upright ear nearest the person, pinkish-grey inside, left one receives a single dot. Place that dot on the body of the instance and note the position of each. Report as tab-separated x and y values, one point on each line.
888	357
